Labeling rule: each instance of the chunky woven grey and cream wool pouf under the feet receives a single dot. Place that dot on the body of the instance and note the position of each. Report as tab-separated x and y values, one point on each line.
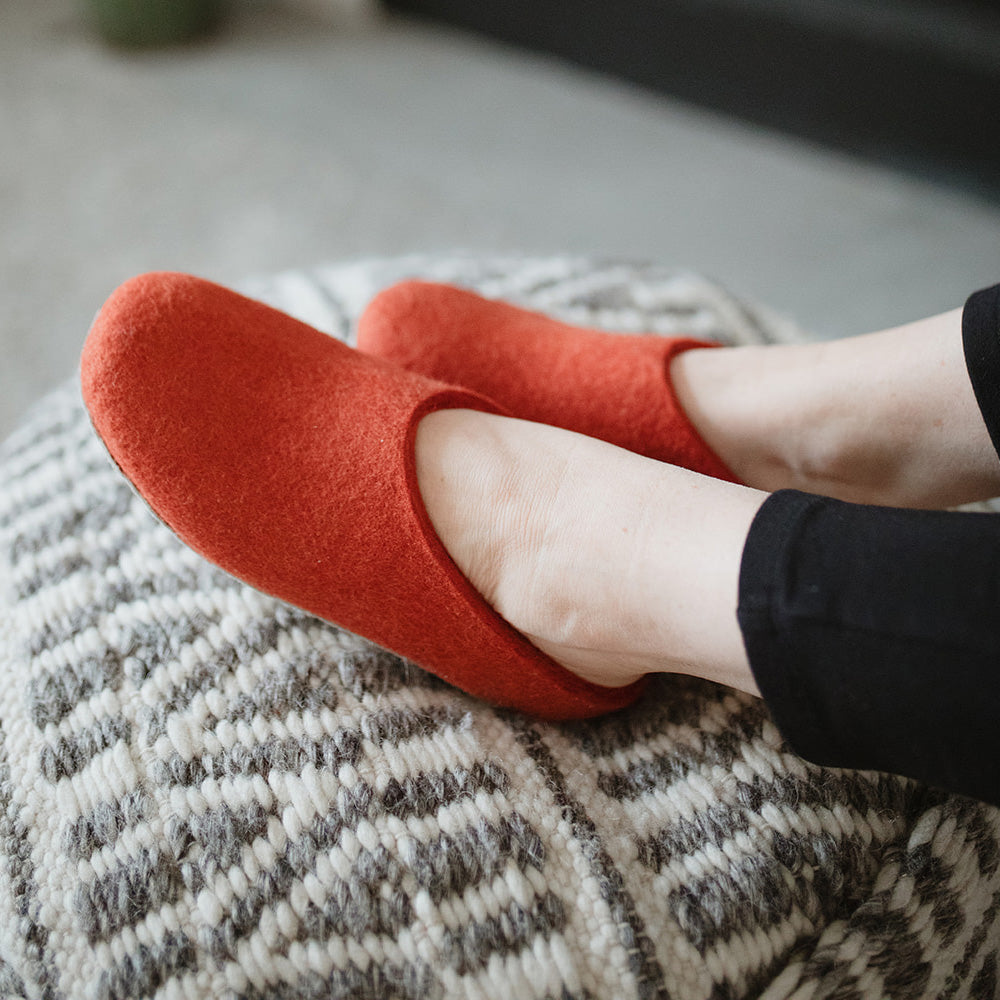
205	793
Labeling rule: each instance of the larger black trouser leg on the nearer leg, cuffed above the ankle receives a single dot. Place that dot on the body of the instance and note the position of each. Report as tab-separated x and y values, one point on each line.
874	636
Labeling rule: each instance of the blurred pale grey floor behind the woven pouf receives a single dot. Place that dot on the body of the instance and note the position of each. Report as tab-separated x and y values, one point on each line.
292	139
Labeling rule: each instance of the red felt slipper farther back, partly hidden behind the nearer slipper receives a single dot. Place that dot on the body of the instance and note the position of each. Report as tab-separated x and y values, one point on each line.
615	387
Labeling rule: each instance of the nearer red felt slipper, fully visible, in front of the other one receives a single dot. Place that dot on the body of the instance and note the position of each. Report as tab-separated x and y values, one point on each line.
286	458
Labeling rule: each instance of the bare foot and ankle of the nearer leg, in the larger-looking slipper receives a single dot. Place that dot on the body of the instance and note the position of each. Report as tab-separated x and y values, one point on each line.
614	565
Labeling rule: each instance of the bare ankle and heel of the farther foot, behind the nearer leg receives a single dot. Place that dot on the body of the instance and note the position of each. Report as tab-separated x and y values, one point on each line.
887	418
